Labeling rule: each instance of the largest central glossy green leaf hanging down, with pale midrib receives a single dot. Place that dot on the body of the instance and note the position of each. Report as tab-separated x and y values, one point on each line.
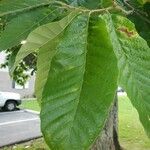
80	86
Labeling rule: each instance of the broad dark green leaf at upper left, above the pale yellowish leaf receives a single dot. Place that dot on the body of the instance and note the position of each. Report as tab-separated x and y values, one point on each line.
19	27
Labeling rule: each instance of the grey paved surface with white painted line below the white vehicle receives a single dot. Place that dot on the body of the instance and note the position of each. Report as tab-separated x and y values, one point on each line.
18	126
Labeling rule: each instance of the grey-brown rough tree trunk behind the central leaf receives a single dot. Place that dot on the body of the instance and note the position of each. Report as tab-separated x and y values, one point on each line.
108	139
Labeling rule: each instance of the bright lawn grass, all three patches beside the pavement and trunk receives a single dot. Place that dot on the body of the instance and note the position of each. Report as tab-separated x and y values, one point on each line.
131	133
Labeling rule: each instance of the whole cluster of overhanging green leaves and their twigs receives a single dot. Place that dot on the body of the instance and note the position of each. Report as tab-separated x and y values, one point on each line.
82	50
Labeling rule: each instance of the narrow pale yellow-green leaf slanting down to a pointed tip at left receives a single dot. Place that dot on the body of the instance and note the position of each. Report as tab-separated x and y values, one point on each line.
42	35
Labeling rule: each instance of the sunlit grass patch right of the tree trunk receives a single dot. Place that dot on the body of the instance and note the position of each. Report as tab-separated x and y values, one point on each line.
131	132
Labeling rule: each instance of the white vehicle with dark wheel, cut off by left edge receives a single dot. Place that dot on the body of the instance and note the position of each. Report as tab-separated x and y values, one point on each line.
9	100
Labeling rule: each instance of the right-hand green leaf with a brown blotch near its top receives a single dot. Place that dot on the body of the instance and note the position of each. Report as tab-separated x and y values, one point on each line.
133	56
